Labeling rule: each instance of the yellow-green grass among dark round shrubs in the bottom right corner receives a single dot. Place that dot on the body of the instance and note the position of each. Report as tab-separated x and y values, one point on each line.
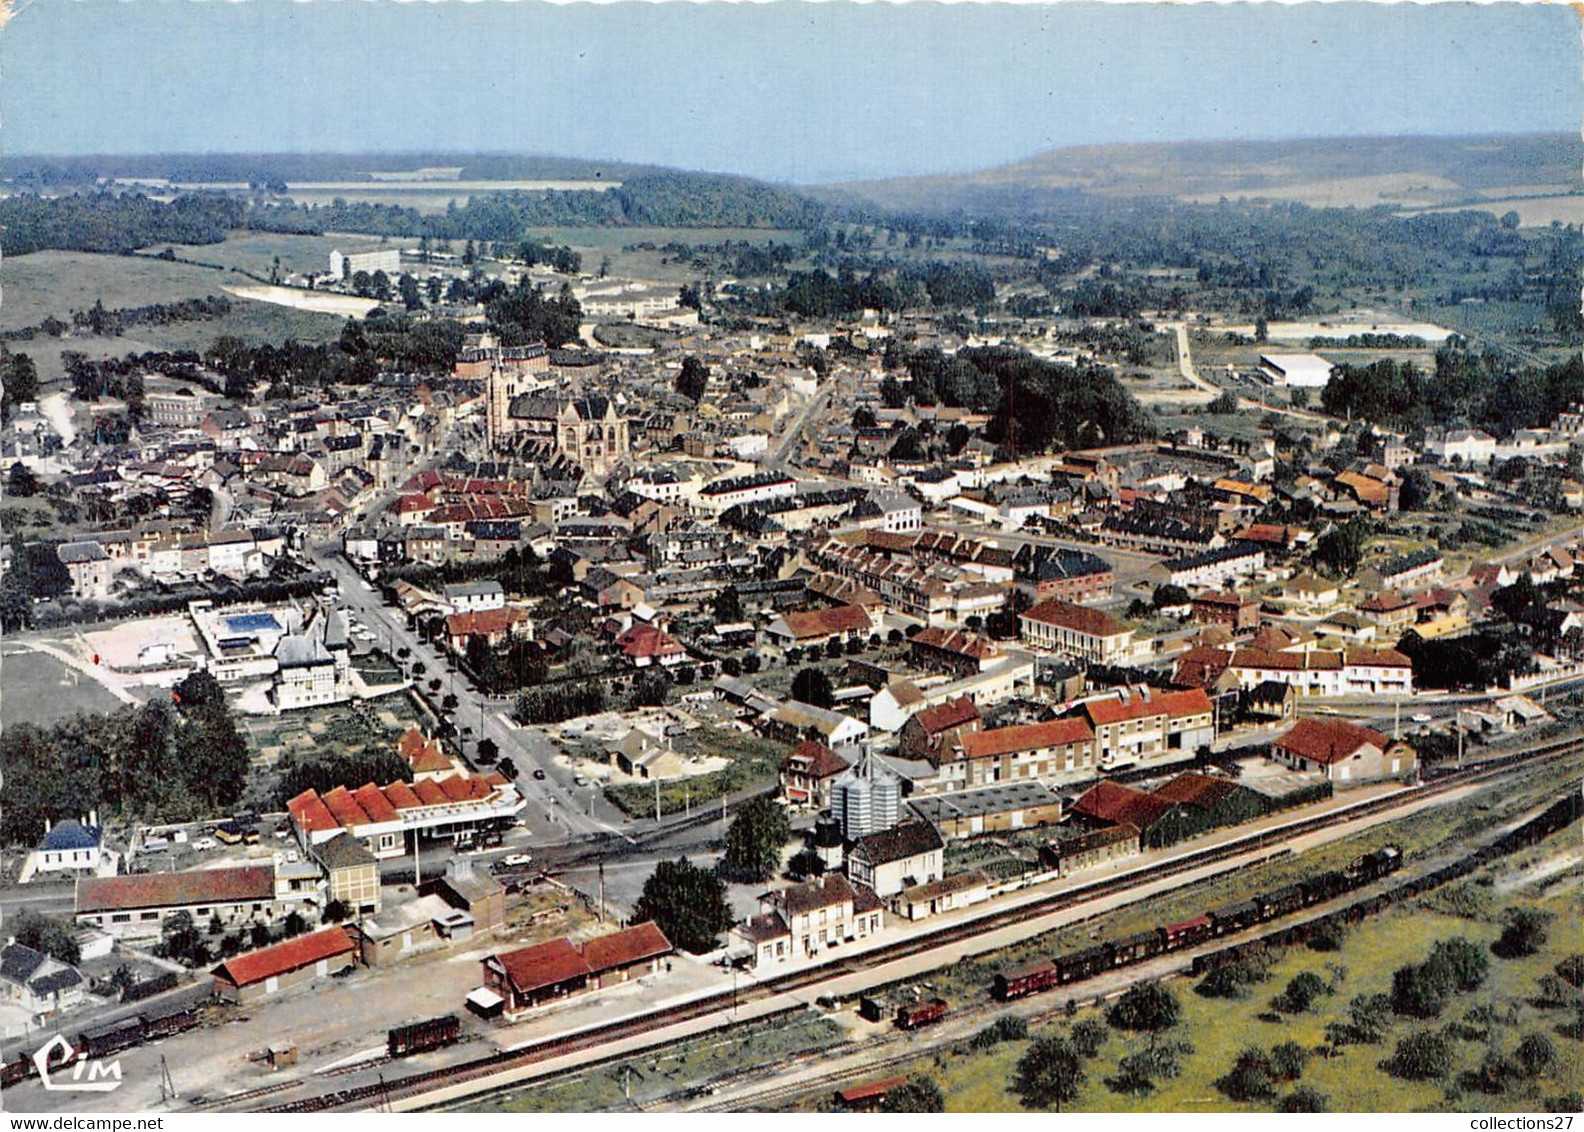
1220	1028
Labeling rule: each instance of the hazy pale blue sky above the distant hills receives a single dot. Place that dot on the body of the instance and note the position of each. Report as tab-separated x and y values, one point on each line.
793	93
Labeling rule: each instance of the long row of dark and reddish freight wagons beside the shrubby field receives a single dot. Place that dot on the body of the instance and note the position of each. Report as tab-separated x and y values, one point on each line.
1076	967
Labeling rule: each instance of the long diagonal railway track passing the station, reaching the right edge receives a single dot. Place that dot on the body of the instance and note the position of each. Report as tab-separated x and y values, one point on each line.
509	1060
